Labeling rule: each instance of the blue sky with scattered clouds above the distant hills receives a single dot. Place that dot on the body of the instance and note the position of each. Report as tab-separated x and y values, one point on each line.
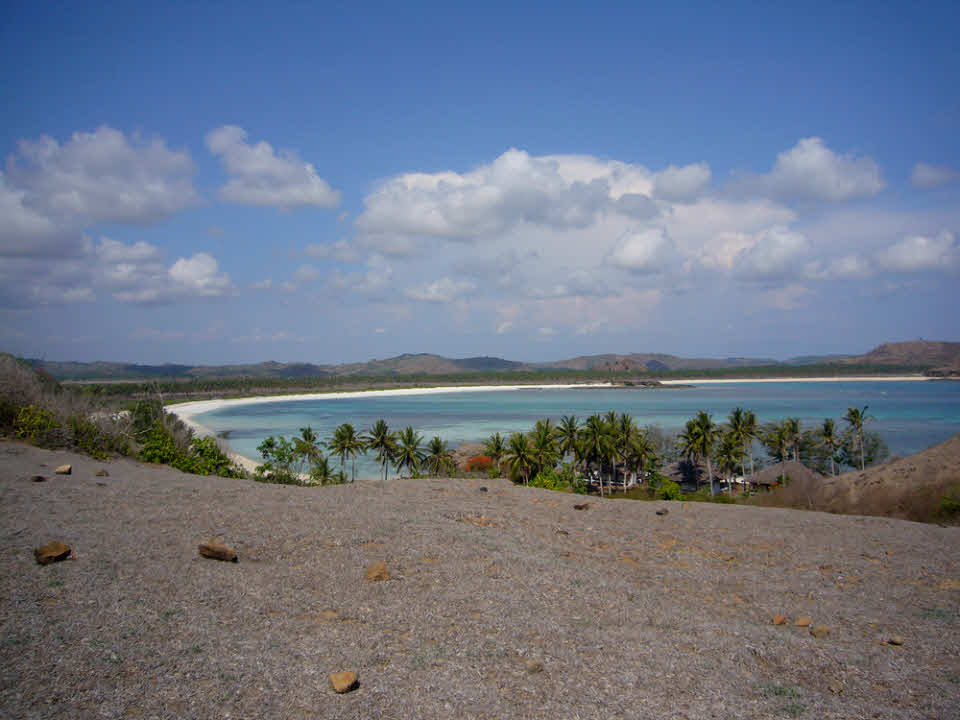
231	182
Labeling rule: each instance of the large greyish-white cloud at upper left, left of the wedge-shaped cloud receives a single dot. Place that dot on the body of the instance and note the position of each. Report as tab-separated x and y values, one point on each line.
102	176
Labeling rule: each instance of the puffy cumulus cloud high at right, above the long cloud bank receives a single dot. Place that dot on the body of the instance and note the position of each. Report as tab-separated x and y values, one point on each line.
812	171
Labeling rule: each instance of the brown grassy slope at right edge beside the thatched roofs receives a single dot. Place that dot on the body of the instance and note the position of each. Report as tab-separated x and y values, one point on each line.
910	488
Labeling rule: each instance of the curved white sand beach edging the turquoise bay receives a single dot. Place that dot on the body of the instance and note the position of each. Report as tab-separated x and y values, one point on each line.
186	411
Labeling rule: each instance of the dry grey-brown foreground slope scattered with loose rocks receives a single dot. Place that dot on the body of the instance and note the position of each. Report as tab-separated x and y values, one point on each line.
504	603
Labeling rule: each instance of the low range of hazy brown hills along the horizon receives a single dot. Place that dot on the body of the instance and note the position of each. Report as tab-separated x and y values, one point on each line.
920	354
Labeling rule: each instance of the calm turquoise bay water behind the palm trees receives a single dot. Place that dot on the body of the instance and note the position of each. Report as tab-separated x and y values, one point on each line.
910	416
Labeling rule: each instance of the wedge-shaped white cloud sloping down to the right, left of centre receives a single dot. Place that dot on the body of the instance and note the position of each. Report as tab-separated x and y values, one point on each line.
258	175
